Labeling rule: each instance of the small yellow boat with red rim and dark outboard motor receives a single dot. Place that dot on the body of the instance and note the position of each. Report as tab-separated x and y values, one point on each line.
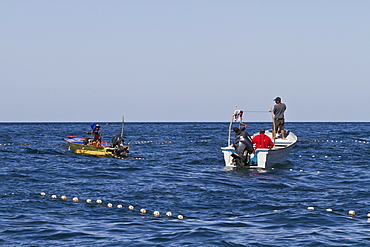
81	145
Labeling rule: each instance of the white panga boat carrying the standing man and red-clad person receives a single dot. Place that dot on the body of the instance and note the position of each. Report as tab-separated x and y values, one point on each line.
263	158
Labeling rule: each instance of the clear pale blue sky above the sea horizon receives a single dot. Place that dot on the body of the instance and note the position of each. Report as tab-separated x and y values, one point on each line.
184	61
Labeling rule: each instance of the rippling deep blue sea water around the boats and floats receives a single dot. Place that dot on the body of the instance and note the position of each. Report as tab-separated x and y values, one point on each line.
179	168
